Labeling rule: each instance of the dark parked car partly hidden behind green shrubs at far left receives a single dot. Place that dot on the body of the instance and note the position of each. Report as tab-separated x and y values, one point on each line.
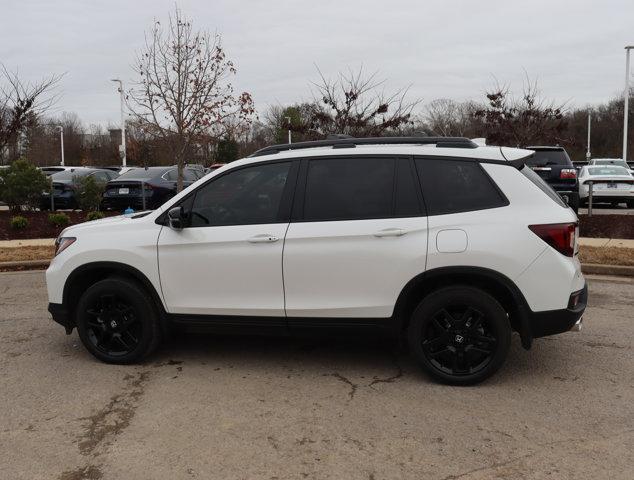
65	184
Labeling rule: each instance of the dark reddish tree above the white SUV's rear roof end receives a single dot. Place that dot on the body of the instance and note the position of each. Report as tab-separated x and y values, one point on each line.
506	120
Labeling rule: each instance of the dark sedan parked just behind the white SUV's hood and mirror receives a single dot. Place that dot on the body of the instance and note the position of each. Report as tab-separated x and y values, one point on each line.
159	185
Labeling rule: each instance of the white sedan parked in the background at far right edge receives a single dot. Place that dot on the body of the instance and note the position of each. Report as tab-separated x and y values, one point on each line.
613	184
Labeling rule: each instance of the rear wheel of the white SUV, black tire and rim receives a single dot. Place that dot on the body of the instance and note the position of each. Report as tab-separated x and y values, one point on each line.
460	335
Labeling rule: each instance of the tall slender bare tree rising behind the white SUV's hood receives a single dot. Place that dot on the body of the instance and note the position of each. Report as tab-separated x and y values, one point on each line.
183	94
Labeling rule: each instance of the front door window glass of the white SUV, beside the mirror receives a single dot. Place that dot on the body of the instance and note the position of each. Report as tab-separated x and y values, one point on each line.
246	196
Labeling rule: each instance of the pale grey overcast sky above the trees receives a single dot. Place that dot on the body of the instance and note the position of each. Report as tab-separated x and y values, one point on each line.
451	49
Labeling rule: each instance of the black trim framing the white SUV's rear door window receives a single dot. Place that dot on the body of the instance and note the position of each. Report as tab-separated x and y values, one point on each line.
297	215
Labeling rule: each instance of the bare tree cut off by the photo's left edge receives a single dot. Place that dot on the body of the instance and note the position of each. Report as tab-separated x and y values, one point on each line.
21	103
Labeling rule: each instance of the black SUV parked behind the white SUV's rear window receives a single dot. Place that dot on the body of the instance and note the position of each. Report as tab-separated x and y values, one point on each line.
554	166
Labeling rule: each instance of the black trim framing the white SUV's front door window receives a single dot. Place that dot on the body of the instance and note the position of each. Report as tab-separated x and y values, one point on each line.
284	210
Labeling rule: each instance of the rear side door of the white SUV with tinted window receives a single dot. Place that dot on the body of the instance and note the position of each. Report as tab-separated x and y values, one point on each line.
358	235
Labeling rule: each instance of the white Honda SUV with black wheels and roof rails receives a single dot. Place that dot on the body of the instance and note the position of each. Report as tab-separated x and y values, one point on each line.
437	240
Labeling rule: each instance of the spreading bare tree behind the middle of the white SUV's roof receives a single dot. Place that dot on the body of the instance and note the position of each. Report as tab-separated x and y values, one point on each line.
356	104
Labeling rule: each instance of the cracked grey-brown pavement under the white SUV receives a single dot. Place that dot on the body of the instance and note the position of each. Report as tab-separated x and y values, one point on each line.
212	407
